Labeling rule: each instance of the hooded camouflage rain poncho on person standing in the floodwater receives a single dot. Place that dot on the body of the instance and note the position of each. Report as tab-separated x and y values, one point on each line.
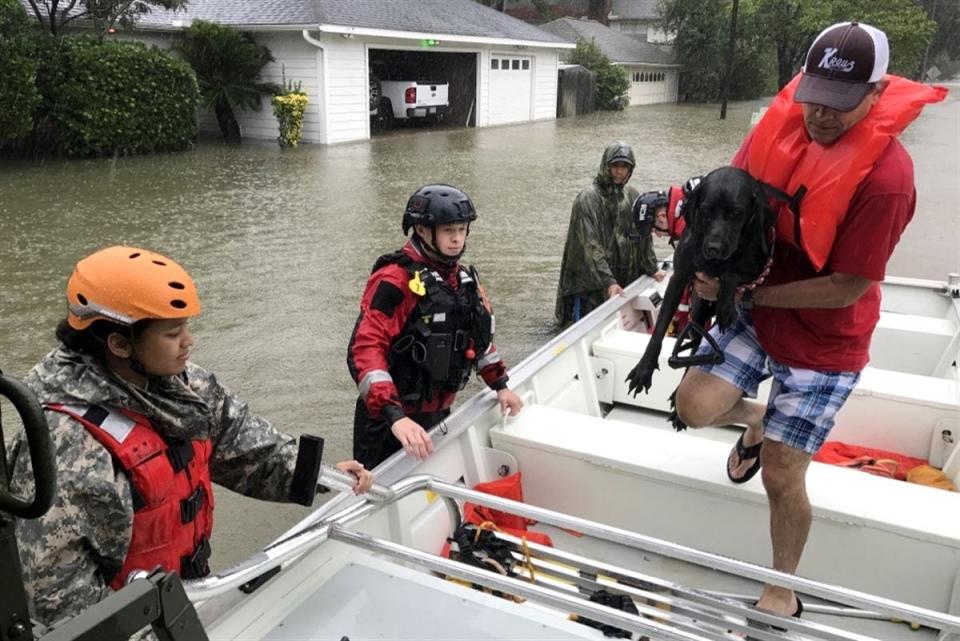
602	248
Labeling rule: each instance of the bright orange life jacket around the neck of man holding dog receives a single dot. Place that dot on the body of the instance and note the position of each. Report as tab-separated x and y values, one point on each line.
782	155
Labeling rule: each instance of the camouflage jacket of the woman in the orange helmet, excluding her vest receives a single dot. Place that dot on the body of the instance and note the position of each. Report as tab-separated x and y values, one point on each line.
70	554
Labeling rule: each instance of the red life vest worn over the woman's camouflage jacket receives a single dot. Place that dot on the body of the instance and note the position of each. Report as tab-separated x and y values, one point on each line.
171	489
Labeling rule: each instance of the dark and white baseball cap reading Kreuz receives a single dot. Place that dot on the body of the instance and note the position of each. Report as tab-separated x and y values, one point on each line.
842	65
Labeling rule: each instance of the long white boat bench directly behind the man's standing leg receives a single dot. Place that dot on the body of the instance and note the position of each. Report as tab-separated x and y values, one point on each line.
674	486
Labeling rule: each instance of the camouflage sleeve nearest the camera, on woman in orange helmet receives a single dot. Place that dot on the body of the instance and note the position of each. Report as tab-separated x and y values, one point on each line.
71	553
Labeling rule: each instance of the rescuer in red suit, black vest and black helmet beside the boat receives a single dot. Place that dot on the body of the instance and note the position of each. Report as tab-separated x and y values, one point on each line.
425	326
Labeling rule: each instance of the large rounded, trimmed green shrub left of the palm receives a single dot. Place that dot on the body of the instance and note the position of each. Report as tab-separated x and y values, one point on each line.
119	97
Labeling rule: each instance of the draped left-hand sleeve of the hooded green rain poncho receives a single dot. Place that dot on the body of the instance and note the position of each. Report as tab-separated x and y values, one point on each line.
586	261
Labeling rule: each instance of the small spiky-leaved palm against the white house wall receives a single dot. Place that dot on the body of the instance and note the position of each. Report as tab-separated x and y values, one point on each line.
228	65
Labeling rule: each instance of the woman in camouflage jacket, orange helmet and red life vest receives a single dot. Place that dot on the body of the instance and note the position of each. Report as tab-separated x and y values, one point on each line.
139	434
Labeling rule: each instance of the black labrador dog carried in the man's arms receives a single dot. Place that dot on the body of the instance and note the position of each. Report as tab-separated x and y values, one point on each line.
728	235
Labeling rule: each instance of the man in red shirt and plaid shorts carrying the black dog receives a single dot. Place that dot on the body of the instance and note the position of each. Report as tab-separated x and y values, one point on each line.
829	137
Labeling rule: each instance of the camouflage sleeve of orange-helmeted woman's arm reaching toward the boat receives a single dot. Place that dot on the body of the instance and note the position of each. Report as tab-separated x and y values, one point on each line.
249	455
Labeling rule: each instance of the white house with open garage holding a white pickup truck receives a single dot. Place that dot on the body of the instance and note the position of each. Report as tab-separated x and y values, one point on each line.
499	69
